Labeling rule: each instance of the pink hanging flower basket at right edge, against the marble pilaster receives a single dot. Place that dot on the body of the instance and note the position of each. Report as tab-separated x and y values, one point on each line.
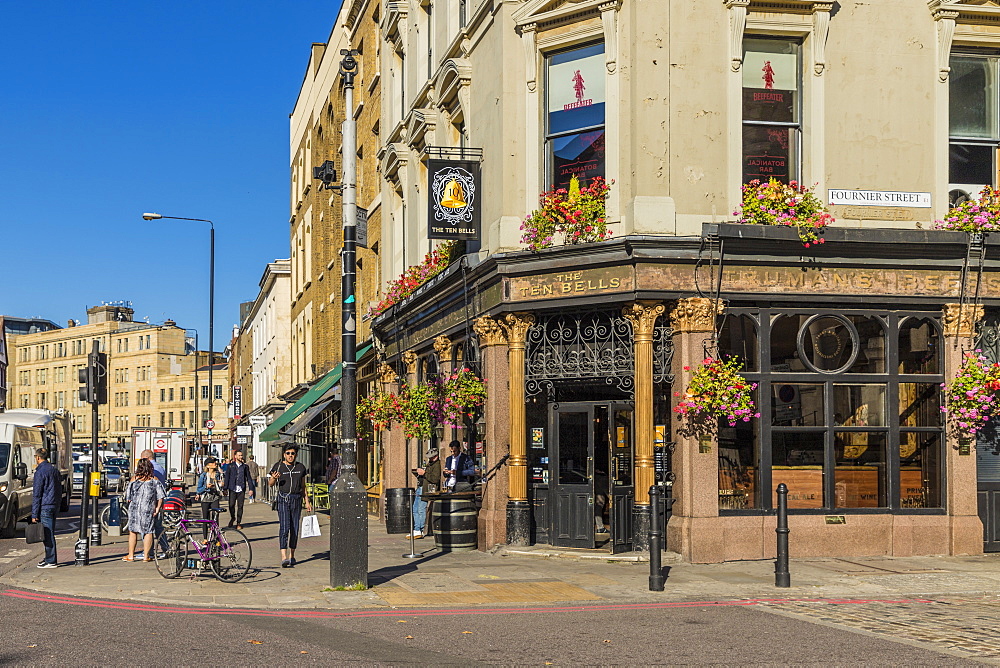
970	398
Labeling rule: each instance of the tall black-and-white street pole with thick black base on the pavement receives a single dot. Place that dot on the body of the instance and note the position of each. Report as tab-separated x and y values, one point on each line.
348	512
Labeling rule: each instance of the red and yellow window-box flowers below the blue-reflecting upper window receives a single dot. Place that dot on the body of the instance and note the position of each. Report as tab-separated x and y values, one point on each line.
577	214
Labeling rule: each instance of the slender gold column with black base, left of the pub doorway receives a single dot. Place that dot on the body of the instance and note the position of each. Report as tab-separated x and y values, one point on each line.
515	326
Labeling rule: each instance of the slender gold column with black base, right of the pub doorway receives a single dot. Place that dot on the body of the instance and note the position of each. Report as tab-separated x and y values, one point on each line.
643	317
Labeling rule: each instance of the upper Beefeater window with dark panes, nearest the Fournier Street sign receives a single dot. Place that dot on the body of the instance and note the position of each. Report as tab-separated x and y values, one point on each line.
772	100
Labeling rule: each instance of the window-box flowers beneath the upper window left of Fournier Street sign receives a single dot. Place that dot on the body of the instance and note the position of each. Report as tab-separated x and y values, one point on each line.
788	204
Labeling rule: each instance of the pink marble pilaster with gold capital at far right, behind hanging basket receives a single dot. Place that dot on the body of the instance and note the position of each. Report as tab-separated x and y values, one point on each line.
961	485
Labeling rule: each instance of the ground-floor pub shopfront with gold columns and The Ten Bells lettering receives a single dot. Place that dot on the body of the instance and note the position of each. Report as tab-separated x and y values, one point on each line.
848	349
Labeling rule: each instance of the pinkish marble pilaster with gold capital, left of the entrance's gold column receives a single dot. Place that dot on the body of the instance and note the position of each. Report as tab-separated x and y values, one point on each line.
496	437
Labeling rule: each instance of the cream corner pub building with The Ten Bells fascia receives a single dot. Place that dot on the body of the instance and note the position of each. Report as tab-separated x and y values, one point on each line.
584	346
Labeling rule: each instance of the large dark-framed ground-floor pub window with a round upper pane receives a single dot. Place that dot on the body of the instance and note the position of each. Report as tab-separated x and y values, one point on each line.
840	426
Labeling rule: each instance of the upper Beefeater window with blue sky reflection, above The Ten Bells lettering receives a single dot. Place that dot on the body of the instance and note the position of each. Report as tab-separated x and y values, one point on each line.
574	125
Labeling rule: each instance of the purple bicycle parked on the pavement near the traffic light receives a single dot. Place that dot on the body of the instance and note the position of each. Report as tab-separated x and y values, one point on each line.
227	552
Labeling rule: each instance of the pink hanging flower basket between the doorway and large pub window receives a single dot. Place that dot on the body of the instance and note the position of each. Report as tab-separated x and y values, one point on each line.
718	391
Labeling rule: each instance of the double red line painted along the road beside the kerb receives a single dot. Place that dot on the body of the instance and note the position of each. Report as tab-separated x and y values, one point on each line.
324	614
